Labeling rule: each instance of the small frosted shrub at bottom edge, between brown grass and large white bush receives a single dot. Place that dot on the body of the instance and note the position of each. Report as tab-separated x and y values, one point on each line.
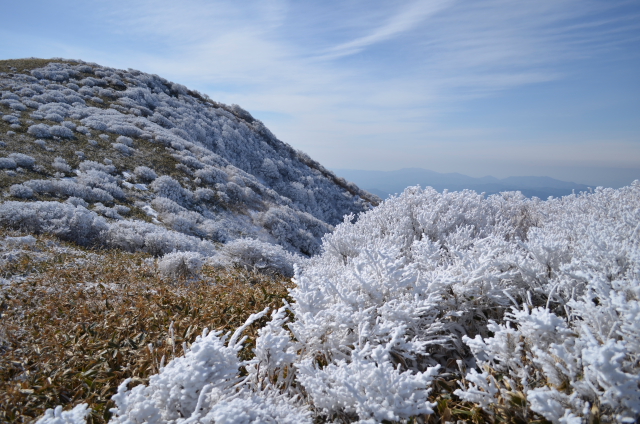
200	387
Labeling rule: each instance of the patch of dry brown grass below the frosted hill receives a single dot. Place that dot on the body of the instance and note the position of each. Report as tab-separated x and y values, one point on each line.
81	321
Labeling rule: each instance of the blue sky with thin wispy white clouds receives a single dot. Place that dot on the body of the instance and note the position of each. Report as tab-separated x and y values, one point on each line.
486	87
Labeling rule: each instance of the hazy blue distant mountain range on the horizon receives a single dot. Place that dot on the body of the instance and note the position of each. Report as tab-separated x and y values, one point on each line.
386	183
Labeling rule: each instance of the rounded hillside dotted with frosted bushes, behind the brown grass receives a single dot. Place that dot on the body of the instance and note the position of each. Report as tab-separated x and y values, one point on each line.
131	160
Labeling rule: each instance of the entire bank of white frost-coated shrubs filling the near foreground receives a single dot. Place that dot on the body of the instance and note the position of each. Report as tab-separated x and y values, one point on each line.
531	308
